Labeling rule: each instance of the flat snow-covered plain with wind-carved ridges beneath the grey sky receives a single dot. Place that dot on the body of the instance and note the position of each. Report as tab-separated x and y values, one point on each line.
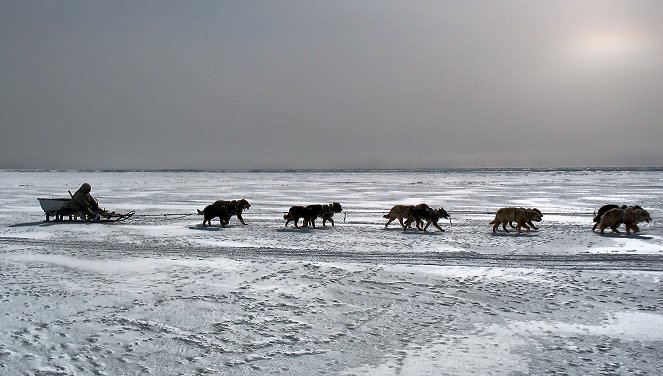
161	294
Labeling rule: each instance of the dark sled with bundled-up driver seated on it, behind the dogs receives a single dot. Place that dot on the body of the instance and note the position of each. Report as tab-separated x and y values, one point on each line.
81	205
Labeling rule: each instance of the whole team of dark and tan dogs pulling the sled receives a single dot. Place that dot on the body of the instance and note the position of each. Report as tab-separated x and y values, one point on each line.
608	216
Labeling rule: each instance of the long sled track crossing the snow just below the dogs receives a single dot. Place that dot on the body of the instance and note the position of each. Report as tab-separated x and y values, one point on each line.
580	261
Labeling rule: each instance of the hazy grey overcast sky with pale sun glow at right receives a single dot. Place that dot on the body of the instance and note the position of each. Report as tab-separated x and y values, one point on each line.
330	84
